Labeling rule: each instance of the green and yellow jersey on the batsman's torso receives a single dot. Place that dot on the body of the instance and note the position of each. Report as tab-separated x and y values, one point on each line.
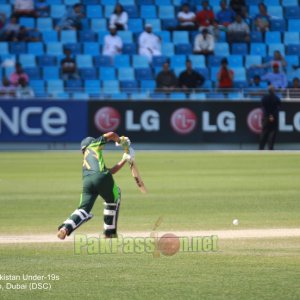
93	161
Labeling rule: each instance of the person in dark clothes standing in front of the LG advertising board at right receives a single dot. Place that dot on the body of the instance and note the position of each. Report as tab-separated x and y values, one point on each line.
270	104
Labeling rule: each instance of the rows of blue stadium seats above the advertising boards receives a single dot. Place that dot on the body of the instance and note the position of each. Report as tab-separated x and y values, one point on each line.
130	75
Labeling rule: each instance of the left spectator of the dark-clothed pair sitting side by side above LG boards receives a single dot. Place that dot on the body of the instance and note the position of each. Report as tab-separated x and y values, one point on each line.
166	80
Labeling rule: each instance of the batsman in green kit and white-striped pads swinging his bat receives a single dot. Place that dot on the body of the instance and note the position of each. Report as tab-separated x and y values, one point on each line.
98	180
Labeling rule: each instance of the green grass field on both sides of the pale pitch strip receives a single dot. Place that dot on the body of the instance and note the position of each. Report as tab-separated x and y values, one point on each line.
191	191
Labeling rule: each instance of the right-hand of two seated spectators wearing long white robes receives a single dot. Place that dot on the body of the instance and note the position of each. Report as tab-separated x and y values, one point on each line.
149	43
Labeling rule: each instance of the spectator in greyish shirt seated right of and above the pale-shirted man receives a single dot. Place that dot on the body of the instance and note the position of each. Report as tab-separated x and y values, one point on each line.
238	31
